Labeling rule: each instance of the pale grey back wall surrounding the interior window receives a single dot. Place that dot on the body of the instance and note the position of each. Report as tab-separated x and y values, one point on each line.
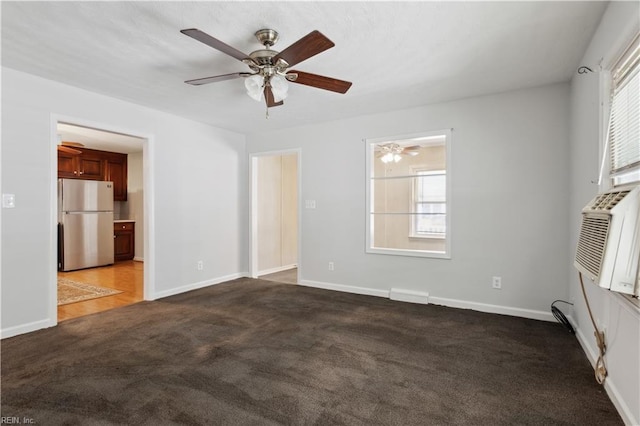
510	183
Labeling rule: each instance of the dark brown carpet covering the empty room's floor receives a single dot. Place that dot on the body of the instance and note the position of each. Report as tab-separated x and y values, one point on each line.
257	352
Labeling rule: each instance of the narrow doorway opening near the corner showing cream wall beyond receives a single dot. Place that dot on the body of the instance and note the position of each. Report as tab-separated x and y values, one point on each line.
275	230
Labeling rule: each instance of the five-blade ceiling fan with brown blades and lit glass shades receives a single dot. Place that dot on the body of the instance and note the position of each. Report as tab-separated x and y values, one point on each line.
269	68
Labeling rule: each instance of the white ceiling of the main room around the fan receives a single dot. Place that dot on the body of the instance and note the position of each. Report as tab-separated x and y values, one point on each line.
397	54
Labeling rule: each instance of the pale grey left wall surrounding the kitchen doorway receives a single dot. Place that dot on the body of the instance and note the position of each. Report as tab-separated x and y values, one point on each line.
197	173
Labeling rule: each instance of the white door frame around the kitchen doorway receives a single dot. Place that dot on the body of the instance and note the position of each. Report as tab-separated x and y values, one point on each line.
148	204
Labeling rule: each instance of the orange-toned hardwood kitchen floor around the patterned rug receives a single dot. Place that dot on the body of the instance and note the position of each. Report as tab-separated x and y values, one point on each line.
125	276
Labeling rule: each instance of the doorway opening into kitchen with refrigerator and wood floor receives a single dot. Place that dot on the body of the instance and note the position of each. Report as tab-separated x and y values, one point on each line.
95	156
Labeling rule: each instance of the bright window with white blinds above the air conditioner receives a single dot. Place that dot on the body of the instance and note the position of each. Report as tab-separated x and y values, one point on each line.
624	119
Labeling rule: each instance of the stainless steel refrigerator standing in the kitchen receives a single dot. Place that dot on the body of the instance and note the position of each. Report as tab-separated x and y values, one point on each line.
85	224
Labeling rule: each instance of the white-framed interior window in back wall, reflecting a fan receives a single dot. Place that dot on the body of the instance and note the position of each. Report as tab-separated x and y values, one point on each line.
409	194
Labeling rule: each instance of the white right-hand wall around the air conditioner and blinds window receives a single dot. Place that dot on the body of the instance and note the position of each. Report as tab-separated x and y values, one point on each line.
613	313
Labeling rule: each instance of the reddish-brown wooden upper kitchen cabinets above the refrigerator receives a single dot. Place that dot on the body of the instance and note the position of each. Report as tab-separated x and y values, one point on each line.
94	164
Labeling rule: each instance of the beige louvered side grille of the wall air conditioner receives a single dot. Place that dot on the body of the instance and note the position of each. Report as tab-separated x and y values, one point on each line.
592	243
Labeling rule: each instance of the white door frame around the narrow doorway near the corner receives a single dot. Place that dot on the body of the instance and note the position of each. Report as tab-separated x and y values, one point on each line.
253	207
